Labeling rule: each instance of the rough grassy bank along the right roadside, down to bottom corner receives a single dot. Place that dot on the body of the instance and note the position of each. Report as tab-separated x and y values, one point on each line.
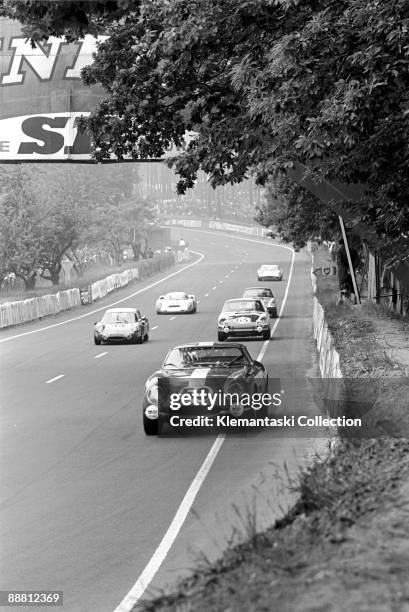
341	545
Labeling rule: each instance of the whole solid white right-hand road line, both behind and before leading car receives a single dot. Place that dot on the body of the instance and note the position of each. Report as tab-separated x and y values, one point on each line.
144	580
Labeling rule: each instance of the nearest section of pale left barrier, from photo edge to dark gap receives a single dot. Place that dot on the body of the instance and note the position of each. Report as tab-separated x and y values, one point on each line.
15	313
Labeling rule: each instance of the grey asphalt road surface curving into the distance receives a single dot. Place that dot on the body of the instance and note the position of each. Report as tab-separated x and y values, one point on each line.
86	497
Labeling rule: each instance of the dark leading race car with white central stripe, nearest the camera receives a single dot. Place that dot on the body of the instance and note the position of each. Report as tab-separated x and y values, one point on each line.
207	366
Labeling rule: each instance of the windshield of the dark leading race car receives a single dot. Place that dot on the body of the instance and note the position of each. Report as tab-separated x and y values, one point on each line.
197	356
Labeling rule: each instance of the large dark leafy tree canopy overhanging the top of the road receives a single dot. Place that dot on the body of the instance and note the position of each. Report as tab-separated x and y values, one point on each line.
262	83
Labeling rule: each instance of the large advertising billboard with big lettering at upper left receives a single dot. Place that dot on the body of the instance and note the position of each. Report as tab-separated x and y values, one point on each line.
42	97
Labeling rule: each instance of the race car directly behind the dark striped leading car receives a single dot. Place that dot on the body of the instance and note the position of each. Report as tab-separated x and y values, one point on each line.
243	317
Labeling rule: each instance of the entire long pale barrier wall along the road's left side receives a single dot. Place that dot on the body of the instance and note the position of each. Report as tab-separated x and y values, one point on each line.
22	311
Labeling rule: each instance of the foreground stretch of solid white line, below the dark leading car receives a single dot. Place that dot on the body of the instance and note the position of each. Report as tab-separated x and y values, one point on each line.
161	552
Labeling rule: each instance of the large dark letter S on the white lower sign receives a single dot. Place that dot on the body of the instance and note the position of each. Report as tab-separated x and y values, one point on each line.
33	127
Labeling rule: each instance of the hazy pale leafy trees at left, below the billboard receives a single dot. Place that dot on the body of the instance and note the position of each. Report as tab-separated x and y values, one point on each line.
48	213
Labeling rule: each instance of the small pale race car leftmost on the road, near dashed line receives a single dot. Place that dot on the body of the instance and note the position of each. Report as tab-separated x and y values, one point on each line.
122	324
